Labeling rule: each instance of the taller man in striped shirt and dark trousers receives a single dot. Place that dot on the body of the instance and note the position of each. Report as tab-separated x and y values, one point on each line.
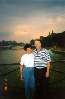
42	68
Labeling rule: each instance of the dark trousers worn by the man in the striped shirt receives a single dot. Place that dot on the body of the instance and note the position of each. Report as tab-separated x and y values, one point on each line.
41	82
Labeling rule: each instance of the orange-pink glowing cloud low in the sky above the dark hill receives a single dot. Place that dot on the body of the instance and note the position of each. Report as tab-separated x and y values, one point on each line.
34	27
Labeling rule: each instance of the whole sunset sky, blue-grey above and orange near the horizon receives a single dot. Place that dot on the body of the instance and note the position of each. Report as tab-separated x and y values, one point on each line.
23	20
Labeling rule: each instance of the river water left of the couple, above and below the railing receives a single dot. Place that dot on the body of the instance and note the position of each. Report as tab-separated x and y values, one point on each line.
10	57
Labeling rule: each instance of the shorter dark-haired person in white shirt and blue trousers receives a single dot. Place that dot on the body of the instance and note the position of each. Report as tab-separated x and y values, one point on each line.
27	71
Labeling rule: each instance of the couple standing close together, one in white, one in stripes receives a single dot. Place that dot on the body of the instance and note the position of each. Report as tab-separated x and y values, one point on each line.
35	69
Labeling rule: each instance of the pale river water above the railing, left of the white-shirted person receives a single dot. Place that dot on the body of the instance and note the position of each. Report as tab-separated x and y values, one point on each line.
10	56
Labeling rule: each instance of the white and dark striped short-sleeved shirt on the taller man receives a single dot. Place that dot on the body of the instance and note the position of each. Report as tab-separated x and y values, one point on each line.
41	58
